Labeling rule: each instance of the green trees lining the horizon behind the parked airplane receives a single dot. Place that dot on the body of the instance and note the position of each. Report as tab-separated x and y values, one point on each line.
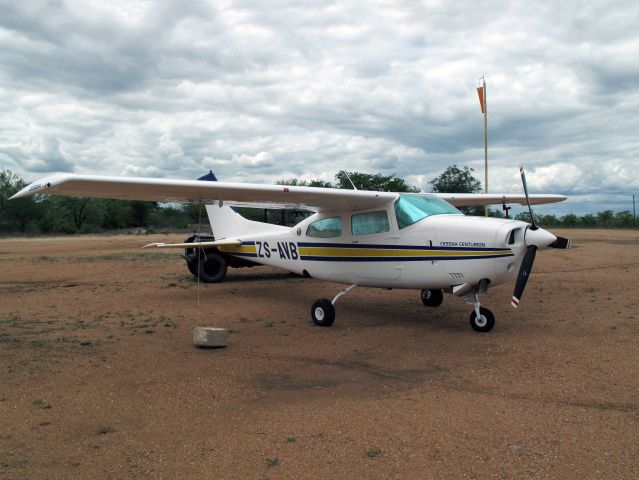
52	214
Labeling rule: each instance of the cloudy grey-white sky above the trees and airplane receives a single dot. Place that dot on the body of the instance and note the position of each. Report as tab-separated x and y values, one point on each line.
258	91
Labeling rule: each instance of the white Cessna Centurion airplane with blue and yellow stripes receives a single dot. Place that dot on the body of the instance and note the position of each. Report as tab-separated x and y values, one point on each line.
358	238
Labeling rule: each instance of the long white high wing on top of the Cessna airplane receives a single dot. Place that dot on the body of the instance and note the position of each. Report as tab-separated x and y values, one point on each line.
159	189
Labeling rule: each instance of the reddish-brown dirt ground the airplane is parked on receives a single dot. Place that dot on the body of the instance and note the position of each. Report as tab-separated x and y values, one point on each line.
99	377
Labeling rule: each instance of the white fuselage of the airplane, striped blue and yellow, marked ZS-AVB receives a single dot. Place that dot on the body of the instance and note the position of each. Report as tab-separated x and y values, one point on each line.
379	248
